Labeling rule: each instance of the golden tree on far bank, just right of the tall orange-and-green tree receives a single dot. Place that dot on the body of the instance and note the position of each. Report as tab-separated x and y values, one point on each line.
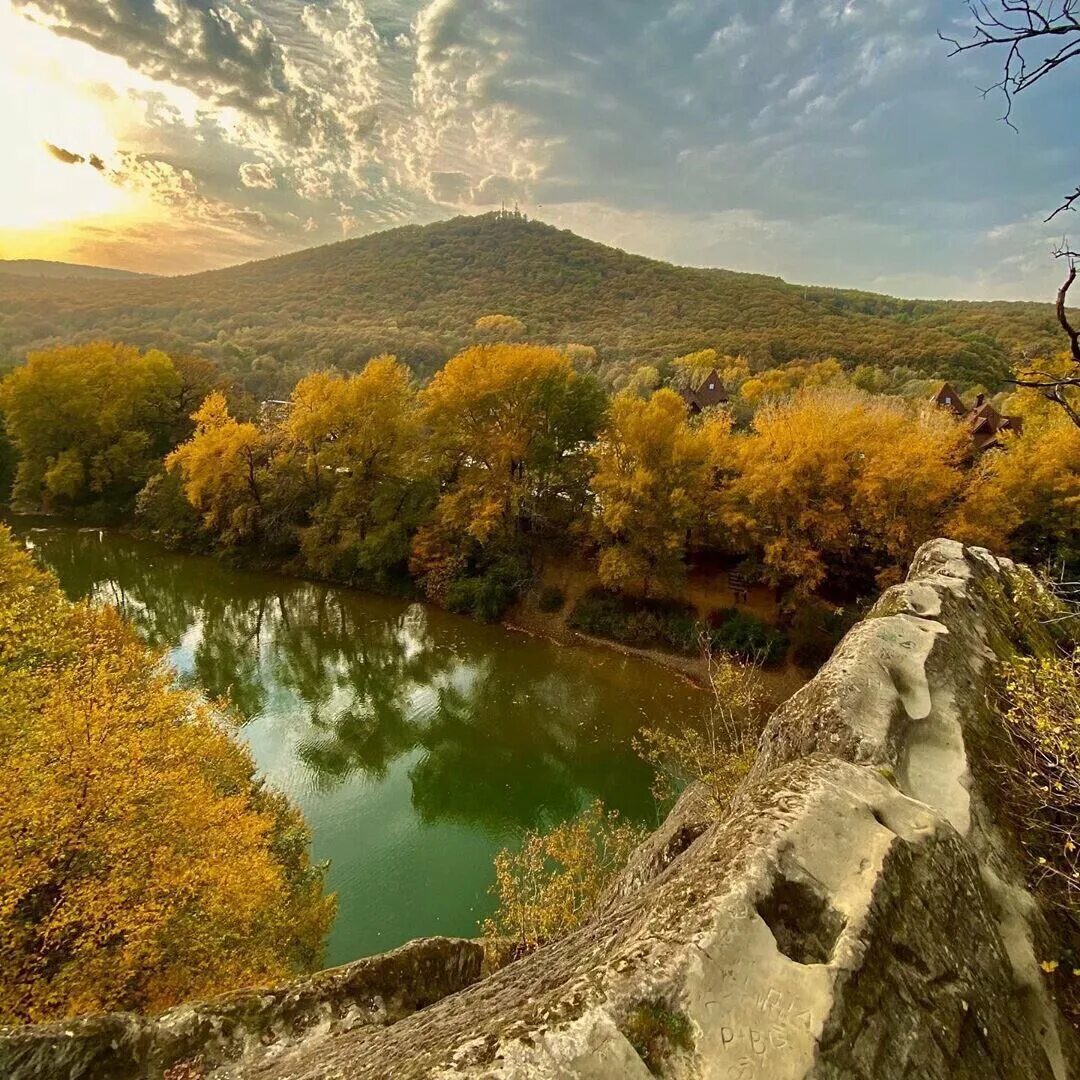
653	482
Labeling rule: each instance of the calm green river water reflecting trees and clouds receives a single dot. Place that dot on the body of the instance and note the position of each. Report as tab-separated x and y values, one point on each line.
417	744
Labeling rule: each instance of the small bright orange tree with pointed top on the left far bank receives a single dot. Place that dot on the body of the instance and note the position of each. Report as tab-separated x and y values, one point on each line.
224	471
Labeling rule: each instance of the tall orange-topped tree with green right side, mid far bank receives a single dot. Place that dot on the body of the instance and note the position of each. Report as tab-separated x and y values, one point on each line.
507	427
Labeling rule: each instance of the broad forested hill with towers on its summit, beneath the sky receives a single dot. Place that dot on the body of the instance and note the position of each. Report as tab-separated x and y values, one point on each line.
418	291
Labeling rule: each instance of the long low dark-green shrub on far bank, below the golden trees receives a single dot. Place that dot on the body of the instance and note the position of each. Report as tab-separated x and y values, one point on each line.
644	624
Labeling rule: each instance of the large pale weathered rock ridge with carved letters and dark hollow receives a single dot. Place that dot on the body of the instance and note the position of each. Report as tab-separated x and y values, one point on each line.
859	913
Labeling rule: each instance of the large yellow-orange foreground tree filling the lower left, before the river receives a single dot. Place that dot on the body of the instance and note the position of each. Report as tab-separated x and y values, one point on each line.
142	863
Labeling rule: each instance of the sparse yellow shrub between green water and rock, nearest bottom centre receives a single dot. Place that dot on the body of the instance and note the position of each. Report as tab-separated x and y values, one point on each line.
550	887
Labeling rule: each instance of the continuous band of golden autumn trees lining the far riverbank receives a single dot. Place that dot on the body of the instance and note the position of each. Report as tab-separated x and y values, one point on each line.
511	454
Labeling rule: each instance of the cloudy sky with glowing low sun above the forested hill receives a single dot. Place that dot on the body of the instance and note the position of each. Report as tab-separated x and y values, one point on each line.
830	142
